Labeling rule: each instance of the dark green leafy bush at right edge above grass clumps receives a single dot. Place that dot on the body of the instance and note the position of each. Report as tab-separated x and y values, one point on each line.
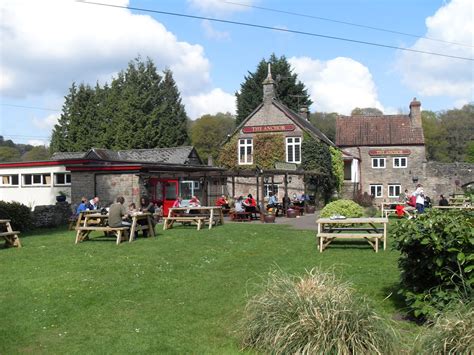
437	260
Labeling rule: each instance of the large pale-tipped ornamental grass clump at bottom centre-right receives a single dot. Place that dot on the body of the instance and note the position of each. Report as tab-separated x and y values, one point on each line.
313	314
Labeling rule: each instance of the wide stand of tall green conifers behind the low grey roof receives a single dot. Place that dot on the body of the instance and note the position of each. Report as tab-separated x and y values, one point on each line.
139	109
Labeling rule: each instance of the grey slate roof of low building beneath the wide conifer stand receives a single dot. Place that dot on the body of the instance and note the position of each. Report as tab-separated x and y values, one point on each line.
176	155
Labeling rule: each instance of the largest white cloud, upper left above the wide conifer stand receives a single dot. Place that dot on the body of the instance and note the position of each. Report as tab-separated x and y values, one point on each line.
46	45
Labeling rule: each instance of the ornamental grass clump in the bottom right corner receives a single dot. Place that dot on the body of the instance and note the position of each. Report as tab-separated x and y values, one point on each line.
451	333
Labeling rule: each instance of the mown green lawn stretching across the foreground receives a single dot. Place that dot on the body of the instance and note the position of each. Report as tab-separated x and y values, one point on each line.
181	292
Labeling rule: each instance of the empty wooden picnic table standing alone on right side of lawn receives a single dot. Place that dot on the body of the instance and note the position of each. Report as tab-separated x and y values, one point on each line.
371	229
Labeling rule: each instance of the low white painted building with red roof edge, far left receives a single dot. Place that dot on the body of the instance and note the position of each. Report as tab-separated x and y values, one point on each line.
34	183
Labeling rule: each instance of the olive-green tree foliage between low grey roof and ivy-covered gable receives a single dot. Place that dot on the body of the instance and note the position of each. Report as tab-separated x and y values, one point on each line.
209	131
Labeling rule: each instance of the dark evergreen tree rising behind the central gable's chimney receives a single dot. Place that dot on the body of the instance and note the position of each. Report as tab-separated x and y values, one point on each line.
289	90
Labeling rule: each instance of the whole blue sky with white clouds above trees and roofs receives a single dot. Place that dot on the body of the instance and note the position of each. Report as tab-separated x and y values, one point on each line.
47	45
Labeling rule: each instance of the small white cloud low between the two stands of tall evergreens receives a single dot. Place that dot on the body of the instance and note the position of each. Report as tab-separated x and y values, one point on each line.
211	102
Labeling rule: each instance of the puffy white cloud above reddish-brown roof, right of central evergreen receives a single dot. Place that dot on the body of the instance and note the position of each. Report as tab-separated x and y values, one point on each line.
337	85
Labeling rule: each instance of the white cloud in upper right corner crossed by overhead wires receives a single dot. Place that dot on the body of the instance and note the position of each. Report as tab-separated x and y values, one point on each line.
436	76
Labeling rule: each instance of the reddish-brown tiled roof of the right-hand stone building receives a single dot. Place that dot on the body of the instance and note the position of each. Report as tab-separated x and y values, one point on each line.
354	131
